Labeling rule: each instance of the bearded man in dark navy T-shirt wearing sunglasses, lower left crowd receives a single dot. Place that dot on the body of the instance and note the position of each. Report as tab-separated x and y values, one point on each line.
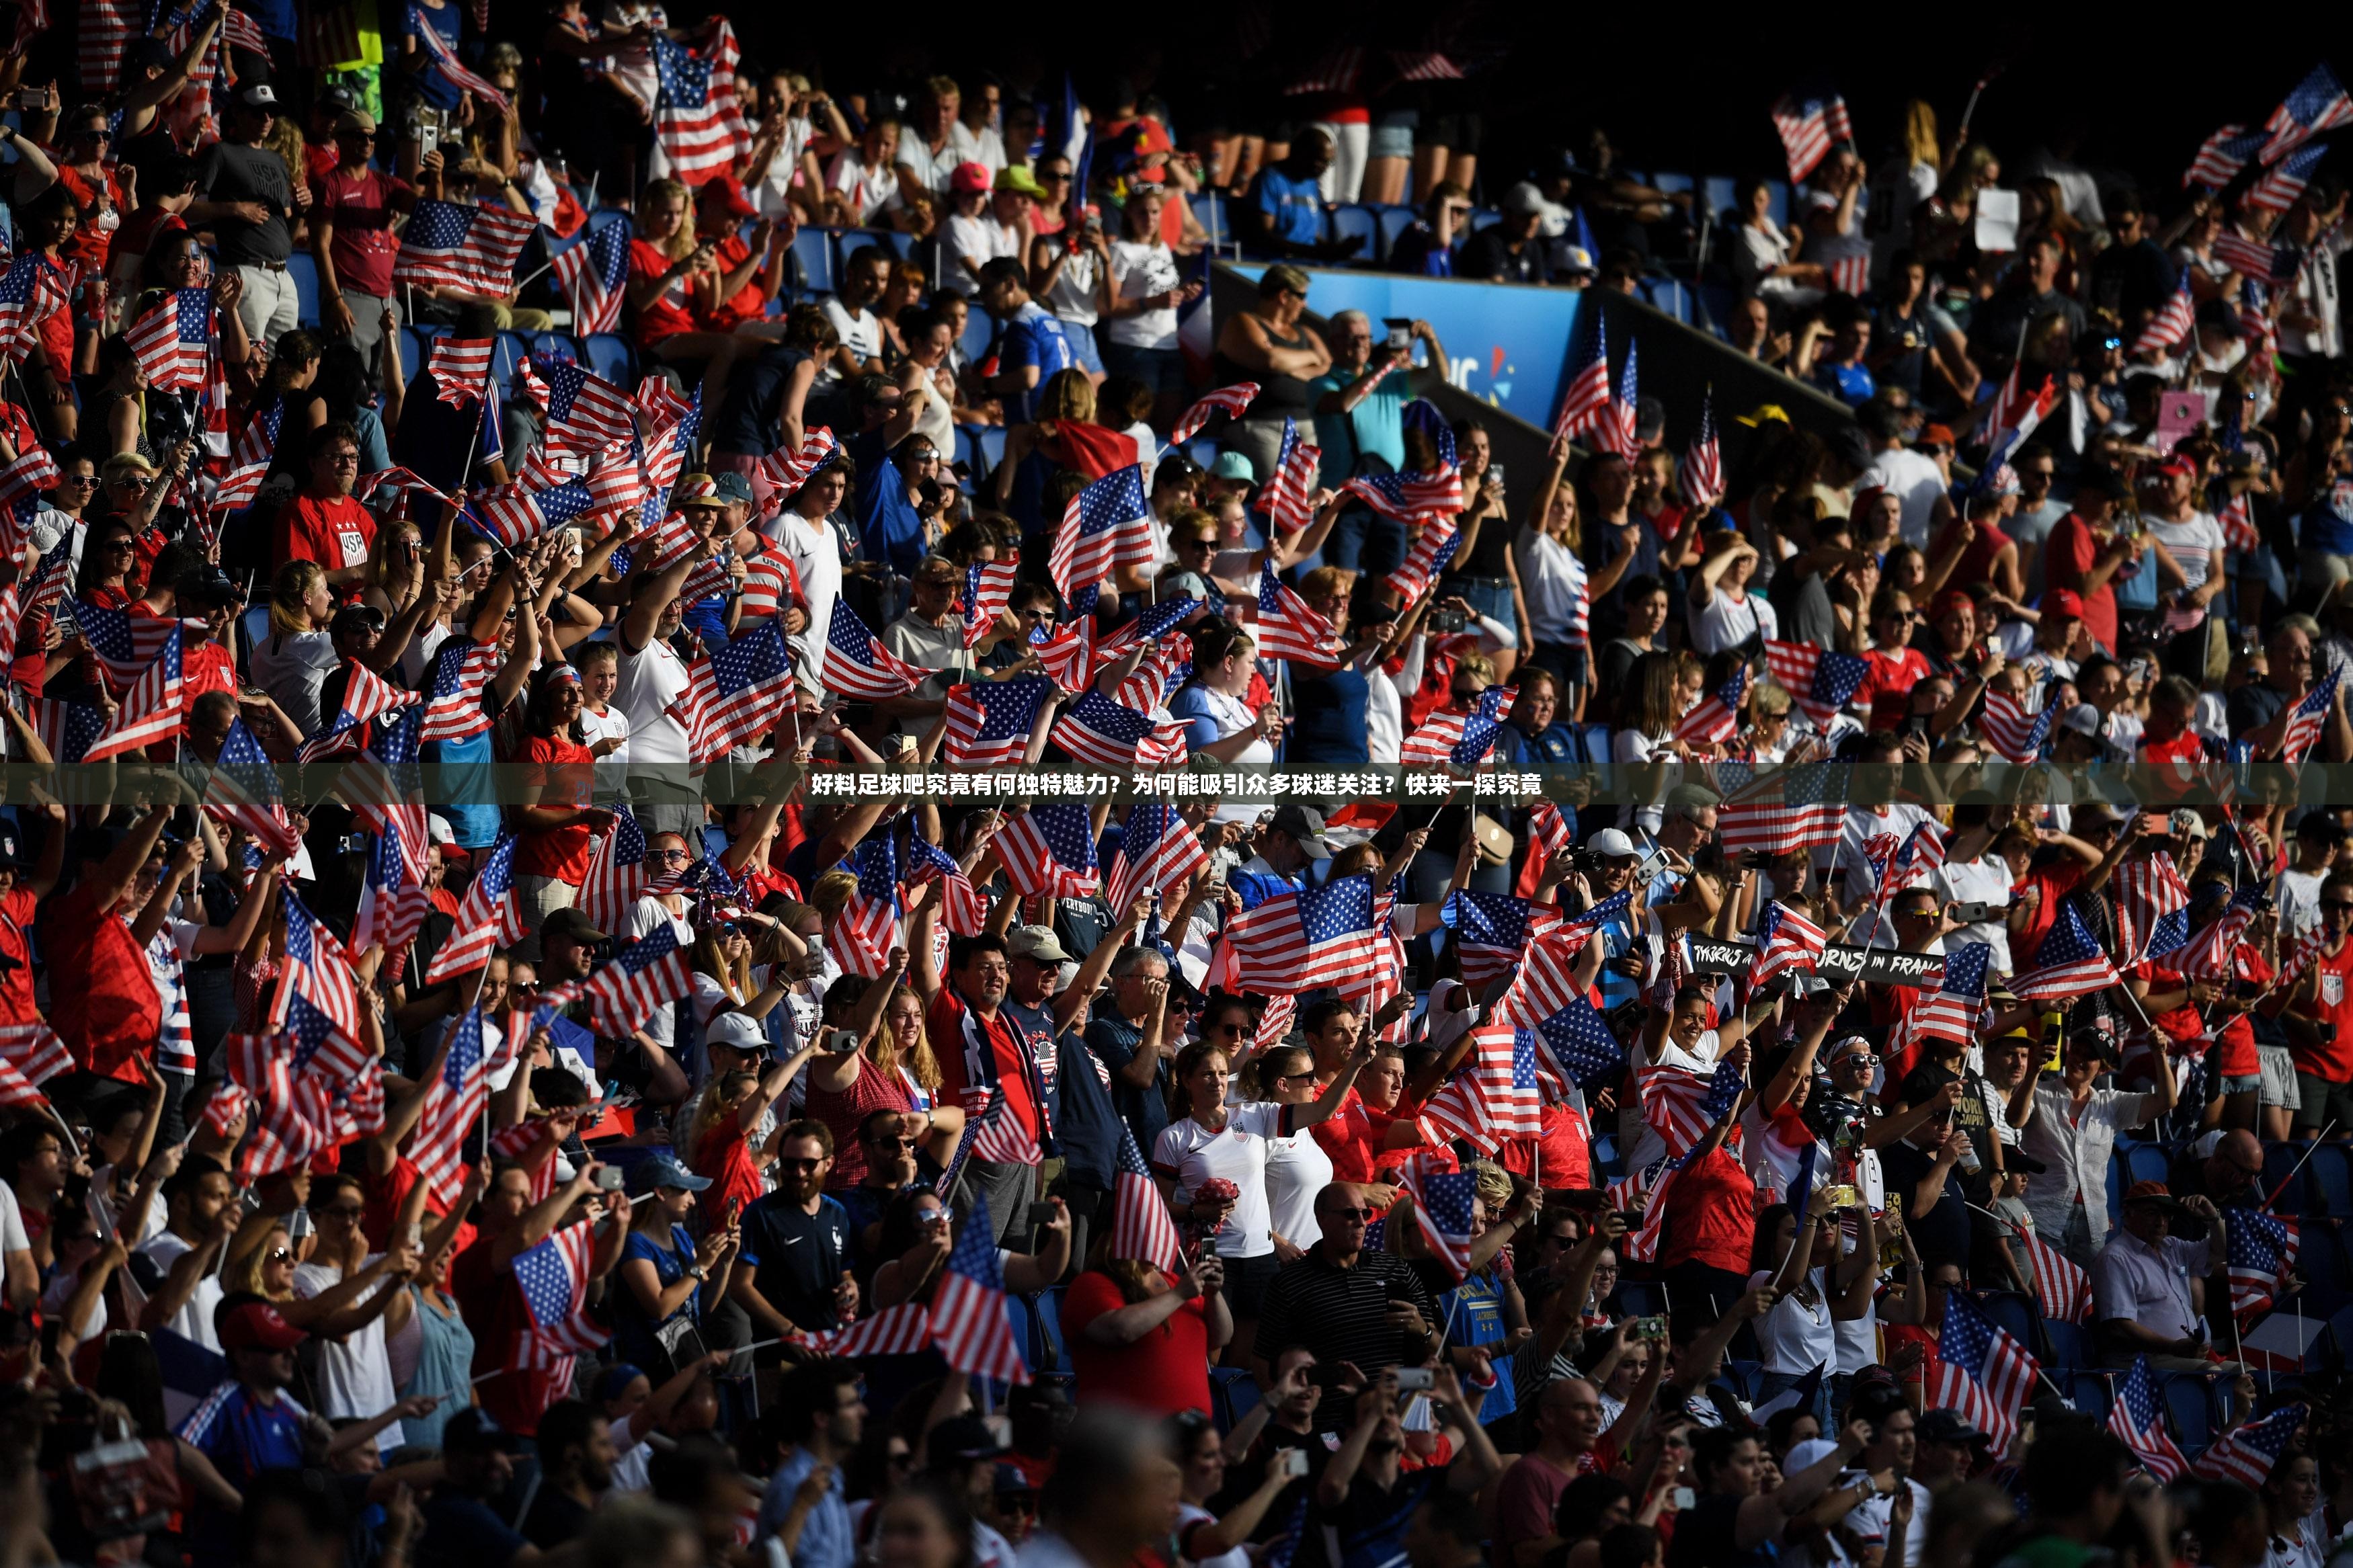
794	1275
